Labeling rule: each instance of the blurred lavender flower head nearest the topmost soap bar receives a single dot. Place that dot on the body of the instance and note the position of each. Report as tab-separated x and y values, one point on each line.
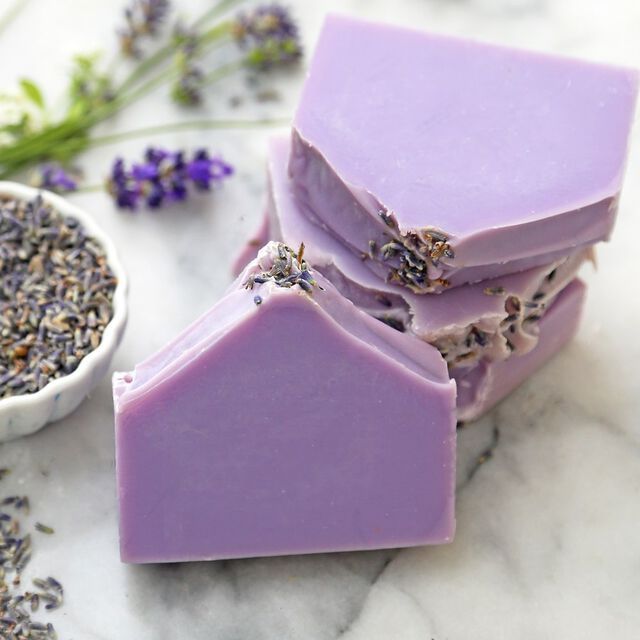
269	35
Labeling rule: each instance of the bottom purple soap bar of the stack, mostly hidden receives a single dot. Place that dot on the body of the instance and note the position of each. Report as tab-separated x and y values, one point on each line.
482	387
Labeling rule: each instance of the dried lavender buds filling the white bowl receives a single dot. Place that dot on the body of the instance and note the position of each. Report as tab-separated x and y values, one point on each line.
56	295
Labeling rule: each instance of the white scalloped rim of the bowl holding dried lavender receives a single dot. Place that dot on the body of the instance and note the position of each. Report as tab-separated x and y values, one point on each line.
113	330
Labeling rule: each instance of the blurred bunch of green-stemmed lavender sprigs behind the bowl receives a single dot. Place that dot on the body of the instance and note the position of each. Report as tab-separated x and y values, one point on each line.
268	37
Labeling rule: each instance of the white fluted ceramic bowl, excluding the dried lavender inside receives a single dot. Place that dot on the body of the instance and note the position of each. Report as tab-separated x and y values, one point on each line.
21	415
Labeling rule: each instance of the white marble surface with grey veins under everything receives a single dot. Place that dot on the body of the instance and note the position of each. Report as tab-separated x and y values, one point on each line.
548	542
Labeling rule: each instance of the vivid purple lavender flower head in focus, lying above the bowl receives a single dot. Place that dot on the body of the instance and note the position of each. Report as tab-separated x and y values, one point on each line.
164	177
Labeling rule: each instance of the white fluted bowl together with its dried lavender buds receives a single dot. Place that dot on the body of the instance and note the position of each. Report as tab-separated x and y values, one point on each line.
62	307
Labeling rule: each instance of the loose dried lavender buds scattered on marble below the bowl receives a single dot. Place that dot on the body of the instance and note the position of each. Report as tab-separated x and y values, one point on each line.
16	606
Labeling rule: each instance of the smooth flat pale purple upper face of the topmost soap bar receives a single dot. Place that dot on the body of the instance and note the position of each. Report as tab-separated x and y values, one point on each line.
462	136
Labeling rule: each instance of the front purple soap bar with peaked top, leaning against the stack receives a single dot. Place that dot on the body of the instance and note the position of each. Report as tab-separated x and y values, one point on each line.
284	421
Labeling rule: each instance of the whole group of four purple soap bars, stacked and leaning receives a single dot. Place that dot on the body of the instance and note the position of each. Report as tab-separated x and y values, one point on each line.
426	219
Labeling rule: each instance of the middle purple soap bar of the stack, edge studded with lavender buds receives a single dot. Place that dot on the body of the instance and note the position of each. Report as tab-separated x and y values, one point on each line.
473	326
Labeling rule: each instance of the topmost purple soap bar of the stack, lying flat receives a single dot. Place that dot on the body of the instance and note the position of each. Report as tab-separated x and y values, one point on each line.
442	161
